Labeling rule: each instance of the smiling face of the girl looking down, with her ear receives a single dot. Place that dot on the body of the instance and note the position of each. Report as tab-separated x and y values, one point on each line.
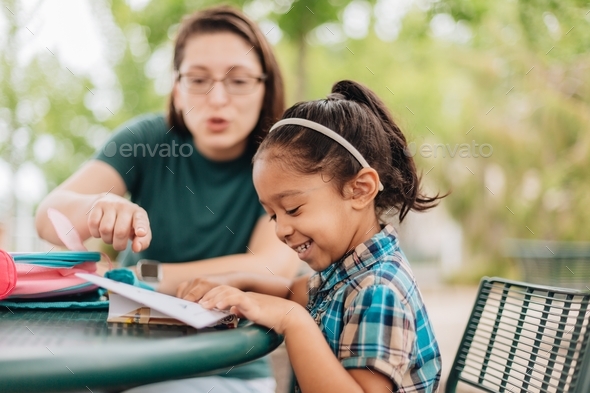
311	216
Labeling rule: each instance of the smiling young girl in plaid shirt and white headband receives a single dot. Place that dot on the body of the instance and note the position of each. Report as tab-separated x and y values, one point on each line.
325	175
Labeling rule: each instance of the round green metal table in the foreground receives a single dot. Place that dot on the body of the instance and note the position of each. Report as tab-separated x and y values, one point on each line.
77	350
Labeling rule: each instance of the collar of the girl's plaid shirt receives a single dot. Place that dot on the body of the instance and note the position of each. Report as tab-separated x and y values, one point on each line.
359	259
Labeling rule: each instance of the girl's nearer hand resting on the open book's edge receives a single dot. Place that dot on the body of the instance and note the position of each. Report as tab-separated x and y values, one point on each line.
270	311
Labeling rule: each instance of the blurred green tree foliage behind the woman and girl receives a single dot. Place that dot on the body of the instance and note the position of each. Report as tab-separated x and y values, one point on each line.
514	75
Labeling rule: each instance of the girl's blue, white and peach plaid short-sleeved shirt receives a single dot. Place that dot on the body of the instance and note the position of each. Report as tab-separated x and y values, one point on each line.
372	315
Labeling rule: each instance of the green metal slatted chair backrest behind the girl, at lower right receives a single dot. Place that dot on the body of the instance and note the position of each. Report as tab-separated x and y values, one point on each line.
525	338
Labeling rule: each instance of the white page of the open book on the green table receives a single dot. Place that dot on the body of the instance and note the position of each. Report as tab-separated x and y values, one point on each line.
188	312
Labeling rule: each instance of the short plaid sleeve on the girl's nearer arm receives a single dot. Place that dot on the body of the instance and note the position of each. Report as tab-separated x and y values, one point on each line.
378	333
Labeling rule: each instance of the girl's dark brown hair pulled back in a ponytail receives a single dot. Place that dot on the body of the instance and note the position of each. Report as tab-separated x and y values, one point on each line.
355	112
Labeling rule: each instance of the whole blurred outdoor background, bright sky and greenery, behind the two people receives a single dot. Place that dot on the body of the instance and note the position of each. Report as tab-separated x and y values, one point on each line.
494	97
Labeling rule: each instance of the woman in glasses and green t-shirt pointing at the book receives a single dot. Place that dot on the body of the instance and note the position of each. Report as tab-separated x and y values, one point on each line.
190	176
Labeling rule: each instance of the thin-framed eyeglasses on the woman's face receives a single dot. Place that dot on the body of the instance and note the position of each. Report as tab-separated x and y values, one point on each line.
234	84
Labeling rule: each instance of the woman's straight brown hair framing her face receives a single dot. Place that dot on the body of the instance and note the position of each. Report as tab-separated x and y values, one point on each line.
223	19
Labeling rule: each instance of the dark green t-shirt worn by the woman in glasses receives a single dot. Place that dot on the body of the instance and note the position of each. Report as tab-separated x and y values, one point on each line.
198	208
